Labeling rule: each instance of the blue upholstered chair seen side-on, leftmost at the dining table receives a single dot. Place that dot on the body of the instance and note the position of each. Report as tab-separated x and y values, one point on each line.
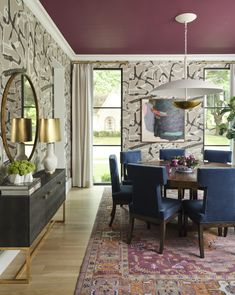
121	194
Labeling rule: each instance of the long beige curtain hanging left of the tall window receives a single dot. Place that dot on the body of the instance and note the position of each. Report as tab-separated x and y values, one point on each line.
82	91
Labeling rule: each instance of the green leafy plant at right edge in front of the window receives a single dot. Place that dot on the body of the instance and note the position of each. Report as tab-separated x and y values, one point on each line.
228	128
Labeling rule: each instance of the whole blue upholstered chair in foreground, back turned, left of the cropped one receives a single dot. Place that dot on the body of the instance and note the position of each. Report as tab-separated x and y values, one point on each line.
147	203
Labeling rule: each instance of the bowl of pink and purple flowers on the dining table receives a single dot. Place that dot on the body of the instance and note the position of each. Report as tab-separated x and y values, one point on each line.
184	164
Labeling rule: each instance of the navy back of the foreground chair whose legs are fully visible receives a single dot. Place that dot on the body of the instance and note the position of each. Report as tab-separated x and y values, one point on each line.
147	182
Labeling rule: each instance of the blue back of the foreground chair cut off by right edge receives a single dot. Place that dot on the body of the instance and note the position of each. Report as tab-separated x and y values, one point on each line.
219	197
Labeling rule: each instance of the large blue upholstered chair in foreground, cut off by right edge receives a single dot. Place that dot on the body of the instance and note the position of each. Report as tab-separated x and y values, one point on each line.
217	209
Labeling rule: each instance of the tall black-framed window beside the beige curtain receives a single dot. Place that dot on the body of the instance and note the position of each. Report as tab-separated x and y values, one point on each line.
106	121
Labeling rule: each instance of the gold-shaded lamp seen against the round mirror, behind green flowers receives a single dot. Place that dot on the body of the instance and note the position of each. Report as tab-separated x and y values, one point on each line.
21	132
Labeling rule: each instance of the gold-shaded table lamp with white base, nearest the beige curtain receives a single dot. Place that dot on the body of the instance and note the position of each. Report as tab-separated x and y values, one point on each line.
49	132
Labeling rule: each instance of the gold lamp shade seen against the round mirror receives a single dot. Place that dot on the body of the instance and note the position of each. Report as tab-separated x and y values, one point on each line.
21	130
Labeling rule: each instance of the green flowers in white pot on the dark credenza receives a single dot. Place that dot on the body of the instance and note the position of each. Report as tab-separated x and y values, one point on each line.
20	172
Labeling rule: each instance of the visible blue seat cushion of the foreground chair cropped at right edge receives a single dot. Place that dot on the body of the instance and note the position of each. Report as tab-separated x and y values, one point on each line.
193	208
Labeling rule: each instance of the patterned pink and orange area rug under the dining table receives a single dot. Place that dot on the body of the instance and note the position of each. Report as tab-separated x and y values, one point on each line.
111	266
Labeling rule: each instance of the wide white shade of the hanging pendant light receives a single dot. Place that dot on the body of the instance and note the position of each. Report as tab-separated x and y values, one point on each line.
186	89
